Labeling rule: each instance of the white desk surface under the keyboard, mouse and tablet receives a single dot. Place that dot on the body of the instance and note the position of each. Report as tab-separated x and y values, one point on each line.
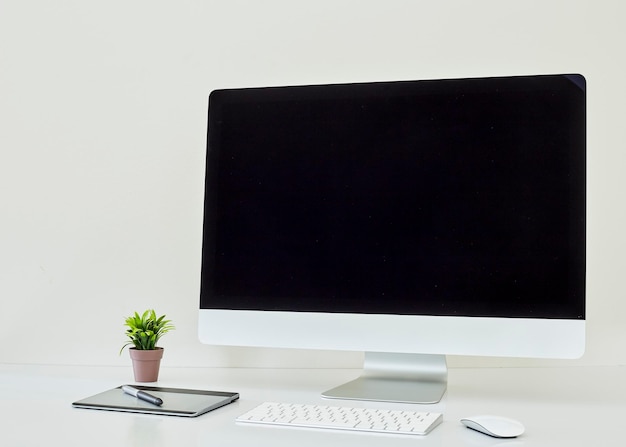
569	406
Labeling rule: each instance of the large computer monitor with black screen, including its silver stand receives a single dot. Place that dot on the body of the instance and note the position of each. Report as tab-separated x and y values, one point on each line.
409	220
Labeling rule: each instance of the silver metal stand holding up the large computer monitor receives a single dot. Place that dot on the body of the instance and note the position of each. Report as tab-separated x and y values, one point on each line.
406	378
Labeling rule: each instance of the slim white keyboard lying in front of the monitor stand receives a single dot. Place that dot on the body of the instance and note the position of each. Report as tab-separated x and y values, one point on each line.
343	418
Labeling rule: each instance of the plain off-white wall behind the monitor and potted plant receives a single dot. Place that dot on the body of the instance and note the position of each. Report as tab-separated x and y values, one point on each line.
102	140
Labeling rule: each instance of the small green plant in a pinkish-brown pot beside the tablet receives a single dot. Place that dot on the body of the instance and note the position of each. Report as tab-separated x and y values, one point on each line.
144	332
